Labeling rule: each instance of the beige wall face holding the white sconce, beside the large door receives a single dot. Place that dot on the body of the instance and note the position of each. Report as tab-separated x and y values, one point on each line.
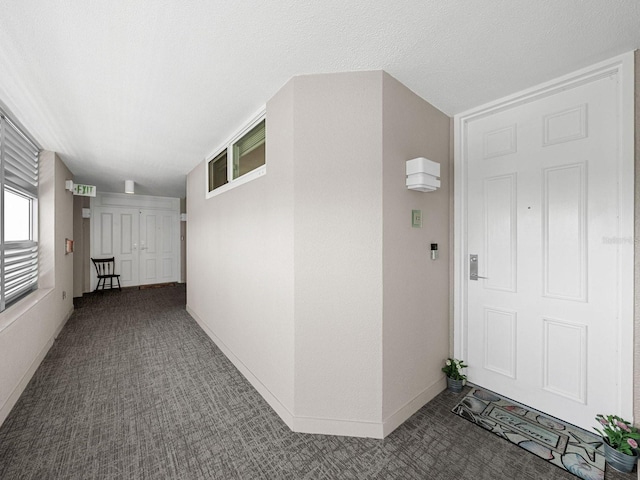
416	288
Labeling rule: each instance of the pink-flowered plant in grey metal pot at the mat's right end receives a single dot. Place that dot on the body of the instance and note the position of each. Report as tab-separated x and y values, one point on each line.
620	442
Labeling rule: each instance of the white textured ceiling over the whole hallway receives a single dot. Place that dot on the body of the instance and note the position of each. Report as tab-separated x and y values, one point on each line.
144	90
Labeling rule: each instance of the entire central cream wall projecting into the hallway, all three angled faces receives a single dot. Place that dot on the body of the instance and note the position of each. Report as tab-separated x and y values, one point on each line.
308	278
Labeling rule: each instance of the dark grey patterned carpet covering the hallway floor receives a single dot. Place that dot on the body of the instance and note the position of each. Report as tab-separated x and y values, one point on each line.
133	388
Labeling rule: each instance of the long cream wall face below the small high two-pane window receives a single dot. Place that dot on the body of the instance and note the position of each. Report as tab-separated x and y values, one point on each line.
240	265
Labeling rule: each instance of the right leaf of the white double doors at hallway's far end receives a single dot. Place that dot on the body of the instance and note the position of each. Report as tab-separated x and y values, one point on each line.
158	259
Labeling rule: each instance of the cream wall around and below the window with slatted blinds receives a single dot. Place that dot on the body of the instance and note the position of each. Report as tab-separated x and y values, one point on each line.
28	328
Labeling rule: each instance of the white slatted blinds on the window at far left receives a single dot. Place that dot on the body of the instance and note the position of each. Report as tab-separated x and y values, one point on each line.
19	175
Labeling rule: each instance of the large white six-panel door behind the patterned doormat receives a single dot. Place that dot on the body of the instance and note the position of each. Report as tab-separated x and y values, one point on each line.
544	212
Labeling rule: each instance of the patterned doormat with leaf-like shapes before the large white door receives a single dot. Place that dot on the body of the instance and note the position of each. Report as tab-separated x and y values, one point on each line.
575	450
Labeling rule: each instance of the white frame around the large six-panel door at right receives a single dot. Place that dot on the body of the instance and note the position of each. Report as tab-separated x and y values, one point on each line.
623	67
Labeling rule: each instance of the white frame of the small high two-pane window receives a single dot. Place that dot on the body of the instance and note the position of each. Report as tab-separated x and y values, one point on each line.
228	147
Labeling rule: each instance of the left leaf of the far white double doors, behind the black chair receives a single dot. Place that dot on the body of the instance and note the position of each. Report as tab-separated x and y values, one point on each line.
117	232
